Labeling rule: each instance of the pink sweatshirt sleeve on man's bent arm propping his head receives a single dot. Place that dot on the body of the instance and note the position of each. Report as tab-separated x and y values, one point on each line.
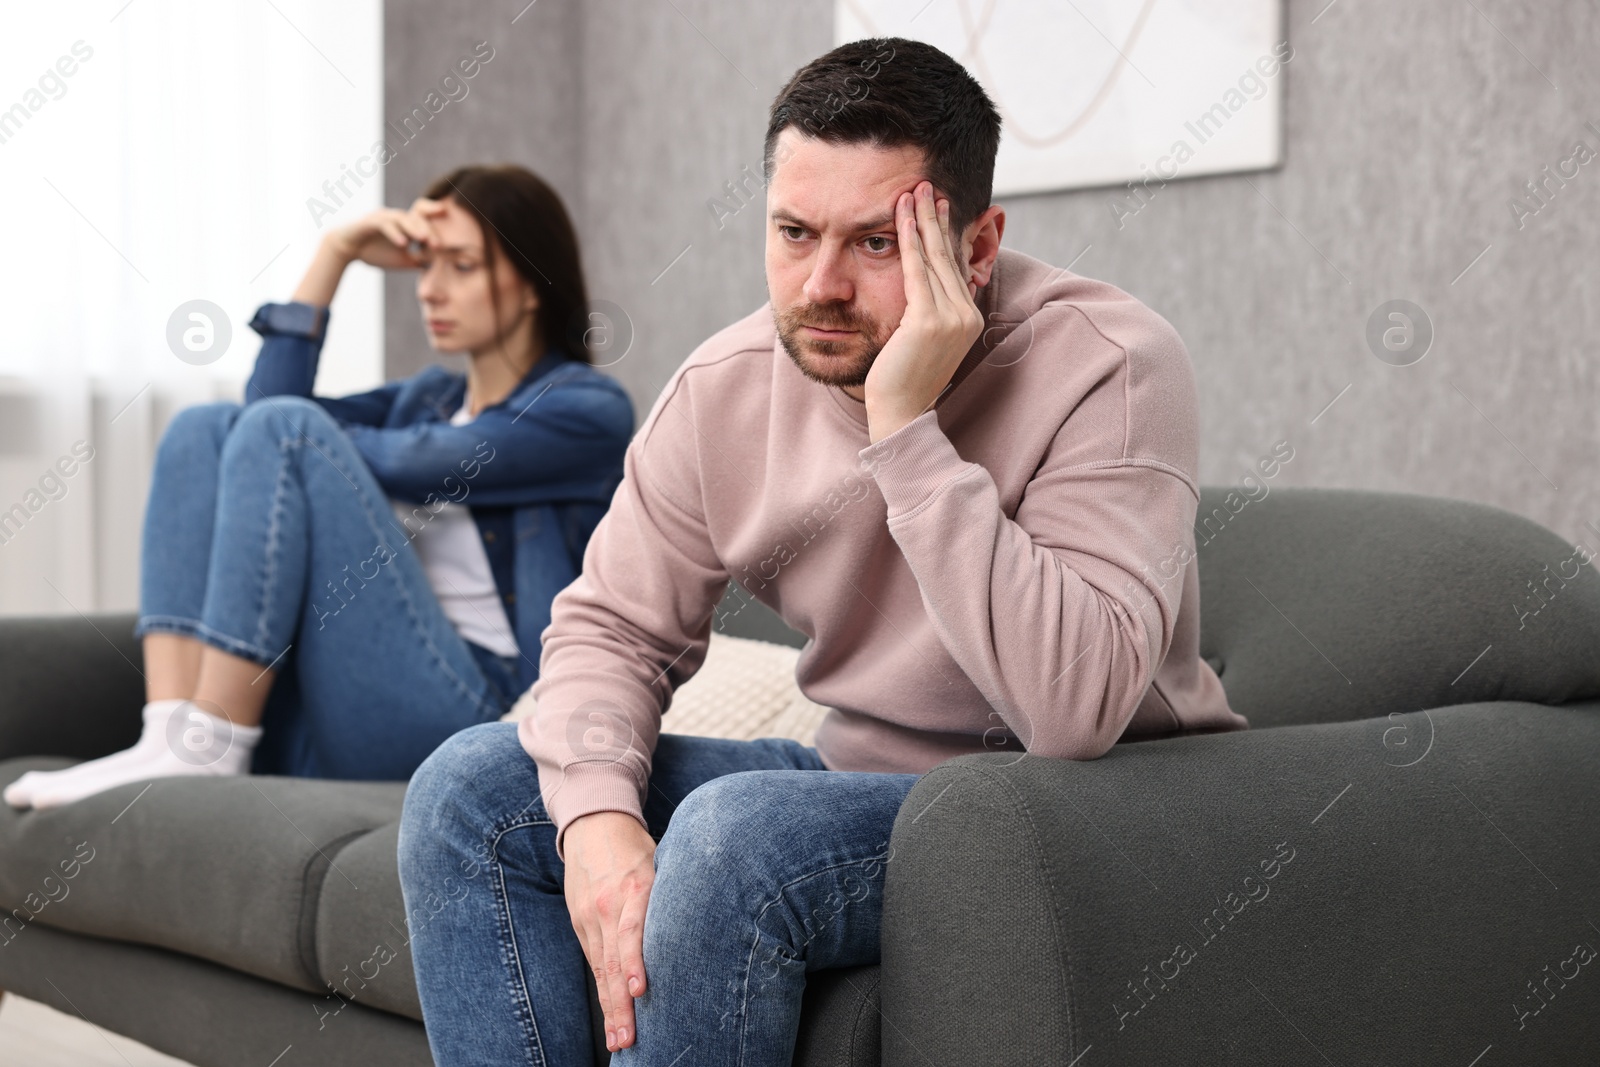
1052	613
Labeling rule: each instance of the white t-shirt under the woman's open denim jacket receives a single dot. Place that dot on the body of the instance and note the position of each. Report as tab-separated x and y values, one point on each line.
458	569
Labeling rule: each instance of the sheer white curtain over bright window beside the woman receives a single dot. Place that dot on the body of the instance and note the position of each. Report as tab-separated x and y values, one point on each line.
156	153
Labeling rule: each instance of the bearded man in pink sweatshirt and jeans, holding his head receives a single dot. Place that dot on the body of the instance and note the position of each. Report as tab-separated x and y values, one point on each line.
966	476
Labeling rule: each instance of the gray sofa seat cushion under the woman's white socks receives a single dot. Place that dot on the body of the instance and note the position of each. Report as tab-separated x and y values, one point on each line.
225	869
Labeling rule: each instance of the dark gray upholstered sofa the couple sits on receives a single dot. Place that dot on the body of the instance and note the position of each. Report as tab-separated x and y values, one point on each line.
1398	861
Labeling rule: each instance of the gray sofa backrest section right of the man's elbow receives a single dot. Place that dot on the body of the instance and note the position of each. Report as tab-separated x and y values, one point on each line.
1330	605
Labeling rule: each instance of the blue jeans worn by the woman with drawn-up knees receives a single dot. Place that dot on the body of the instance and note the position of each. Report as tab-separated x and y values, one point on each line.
270	538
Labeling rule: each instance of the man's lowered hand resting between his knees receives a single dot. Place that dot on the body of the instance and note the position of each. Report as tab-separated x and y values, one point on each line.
610	869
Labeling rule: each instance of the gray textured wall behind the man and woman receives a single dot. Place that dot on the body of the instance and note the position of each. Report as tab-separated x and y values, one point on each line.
1410	127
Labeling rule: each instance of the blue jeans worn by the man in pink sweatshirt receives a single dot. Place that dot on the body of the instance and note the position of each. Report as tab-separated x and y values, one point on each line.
767	868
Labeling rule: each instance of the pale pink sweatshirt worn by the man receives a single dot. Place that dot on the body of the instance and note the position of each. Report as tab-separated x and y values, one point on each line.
1012	570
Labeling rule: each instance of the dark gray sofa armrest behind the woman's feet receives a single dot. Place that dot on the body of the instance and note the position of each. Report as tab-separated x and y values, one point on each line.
70	685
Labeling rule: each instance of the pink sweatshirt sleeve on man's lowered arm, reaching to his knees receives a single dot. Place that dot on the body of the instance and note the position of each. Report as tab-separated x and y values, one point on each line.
631	629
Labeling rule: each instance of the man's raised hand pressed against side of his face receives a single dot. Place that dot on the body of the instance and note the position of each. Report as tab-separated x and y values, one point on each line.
942	319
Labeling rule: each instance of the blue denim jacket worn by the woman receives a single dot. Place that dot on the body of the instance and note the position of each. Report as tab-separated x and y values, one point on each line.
537	470
